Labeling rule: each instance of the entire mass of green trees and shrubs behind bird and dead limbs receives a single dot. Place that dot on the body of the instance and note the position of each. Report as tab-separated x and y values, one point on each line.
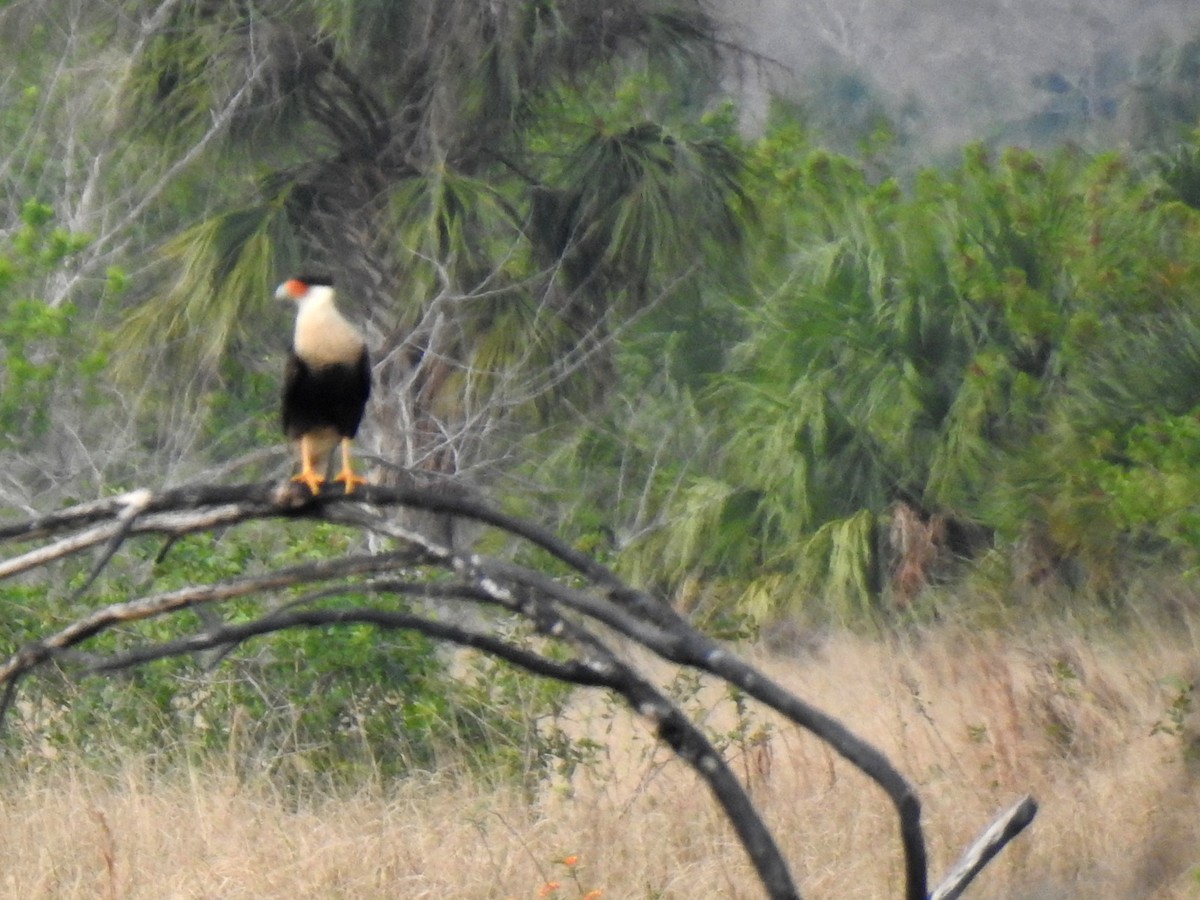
825	364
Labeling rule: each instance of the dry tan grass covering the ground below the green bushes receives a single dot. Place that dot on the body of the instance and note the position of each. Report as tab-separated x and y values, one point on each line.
974	719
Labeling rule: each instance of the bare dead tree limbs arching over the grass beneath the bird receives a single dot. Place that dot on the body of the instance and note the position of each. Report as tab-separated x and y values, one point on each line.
573	615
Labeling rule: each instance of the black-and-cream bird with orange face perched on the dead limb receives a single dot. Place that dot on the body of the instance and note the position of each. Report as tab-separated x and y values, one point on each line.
327	382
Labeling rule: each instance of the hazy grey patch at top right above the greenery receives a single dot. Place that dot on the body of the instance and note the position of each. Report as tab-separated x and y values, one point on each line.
971	67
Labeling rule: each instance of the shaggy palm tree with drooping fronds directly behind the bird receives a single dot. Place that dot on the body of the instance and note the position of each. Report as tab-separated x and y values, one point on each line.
501	242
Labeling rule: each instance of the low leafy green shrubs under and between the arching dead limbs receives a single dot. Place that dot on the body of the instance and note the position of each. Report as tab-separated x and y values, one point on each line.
333	704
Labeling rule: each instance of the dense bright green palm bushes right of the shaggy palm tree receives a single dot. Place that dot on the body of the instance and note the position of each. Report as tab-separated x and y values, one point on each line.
974	349
